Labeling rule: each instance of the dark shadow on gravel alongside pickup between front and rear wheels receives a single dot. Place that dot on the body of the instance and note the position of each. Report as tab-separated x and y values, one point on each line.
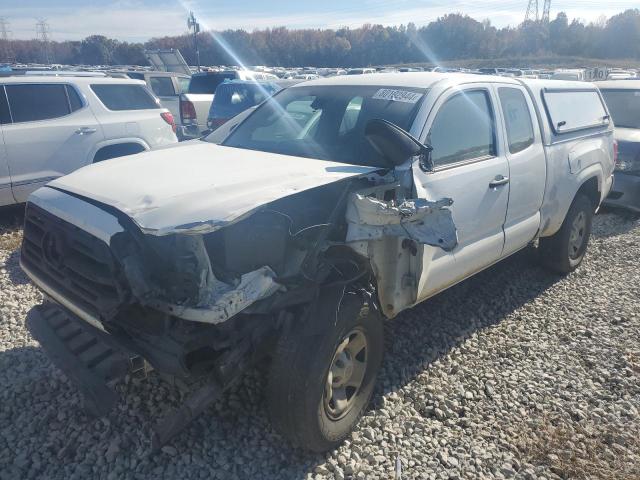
419	337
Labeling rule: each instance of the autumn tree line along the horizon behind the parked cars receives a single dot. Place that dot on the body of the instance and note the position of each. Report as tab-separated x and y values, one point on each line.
451	37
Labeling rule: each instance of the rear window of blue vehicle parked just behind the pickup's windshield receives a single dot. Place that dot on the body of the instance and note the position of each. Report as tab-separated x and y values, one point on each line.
233	98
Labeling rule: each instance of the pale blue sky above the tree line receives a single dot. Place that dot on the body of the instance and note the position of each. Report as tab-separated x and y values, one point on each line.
138	20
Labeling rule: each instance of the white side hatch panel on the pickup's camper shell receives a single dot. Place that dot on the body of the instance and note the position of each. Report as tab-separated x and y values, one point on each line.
574	110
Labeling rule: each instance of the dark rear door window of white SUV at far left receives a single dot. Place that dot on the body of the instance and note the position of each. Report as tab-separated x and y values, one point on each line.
31	102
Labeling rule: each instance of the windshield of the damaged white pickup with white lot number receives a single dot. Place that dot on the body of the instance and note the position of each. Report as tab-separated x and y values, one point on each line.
326	122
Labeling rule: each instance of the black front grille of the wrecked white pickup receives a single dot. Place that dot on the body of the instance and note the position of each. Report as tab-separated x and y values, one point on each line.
77	265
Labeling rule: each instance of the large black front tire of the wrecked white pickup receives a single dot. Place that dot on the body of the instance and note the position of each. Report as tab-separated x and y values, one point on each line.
300	369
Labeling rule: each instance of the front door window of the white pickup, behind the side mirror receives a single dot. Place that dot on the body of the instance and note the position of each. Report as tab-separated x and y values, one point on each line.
463	129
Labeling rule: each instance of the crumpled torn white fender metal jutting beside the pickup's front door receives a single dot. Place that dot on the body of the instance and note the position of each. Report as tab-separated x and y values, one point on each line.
422	220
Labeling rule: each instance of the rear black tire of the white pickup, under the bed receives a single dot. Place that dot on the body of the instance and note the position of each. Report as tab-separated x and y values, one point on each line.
561	252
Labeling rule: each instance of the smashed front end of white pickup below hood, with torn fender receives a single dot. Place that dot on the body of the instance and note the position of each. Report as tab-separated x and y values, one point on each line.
201	305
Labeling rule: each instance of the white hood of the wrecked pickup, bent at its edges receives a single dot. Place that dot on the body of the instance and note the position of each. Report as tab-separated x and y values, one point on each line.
199	187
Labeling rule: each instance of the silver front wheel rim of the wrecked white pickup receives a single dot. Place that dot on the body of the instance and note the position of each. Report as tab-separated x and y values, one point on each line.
346	374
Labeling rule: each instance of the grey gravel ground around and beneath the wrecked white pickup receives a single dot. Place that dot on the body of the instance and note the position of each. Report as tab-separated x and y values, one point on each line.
515	373
